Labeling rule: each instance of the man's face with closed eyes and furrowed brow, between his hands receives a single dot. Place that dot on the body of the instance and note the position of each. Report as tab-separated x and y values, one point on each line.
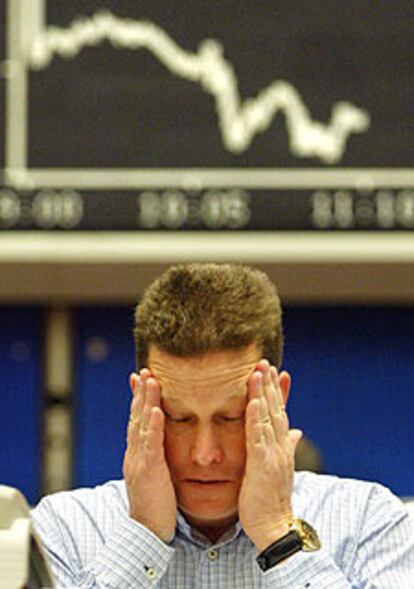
204	400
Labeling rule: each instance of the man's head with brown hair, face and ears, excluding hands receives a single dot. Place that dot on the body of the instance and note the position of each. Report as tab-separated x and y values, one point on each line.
201	329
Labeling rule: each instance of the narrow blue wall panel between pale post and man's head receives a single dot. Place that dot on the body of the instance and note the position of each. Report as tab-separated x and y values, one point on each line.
105	358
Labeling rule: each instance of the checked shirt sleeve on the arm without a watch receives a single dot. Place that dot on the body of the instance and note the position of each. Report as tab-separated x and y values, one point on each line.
131	556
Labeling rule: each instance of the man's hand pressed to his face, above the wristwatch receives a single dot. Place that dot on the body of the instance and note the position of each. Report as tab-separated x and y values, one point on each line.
265	495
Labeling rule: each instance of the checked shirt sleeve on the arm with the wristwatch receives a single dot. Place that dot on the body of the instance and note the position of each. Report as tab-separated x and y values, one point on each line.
383	555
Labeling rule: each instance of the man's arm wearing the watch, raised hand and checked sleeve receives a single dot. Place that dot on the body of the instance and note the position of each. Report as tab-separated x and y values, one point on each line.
384	550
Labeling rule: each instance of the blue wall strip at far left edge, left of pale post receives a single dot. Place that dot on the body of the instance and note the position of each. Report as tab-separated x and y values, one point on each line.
20	399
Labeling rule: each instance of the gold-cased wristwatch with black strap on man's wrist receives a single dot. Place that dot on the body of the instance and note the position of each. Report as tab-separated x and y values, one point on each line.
301	536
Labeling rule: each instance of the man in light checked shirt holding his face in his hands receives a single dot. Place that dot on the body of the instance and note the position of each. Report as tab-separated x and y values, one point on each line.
209	497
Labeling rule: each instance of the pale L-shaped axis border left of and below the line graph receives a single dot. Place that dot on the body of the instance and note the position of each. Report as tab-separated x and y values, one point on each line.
26	19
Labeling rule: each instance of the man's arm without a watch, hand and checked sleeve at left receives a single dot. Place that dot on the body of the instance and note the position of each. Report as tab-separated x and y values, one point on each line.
135	551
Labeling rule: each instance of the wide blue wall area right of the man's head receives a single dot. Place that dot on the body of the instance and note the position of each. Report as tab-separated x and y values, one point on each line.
353	389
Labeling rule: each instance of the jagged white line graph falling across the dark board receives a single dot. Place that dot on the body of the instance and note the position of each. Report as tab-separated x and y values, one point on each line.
239	121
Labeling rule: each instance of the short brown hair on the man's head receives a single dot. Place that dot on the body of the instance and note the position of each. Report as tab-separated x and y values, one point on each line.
195	308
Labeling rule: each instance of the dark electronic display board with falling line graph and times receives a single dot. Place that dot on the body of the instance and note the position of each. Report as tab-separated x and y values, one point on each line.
152	115
